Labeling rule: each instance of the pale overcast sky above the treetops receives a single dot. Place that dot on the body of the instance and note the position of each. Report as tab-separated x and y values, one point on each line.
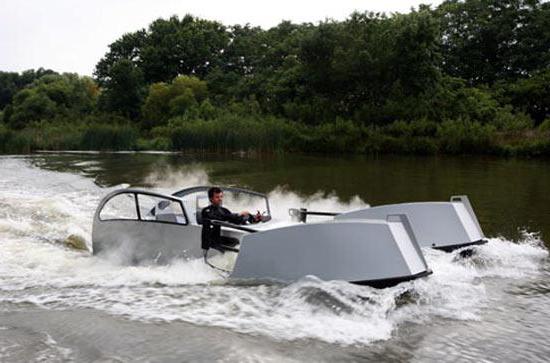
71	36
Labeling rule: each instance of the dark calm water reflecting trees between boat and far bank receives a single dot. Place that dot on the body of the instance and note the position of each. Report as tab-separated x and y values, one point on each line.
508	195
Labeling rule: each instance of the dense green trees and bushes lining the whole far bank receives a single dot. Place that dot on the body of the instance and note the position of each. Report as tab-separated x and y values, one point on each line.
468	77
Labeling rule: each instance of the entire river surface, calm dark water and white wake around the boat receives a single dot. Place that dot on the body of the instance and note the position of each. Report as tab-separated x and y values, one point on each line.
60	304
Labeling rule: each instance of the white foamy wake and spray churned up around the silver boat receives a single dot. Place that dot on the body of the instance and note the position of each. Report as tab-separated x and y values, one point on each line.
39	209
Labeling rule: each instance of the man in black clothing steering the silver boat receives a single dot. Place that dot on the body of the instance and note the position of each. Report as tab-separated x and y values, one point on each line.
211	234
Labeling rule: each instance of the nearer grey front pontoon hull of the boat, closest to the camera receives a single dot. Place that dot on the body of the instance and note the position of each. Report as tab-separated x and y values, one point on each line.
353	250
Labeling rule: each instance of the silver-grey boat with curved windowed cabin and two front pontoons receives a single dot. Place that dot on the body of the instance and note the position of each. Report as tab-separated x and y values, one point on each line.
371	246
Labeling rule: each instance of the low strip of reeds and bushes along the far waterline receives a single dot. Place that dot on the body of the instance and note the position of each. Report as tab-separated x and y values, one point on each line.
271	134
